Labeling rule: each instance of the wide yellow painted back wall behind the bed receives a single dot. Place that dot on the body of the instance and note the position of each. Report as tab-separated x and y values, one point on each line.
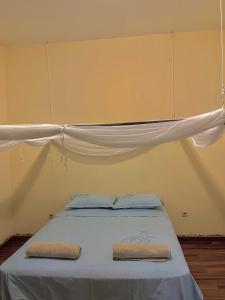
123	79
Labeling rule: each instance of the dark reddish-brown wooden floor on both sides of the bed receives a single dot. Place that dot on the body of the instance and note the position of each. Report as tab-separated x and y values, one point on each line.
205	257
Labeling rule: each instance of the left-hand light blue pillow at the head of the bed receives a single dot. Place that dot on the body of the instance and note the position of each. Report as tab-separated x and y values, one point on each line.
91	201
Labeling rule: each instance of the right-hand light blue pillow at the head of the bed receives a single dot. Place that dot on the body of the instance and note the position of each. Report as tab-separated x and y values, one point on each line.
137	201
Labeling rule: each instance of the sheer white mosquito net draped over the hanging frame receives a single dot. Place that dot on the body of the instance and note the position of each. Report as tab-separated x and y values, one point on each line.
109	140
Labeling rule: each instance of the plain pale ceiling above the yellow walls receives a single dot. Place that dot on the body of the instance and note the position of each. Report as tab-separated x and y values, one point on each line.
34	21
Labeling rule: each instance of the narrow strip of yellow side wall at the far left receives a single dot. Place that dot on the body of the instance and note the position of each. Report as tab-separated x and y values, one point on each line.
6	223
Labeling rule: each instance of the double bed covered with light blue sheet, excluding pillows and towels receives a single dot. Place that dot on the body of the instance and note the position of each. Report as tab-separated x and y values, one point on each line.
95	276
